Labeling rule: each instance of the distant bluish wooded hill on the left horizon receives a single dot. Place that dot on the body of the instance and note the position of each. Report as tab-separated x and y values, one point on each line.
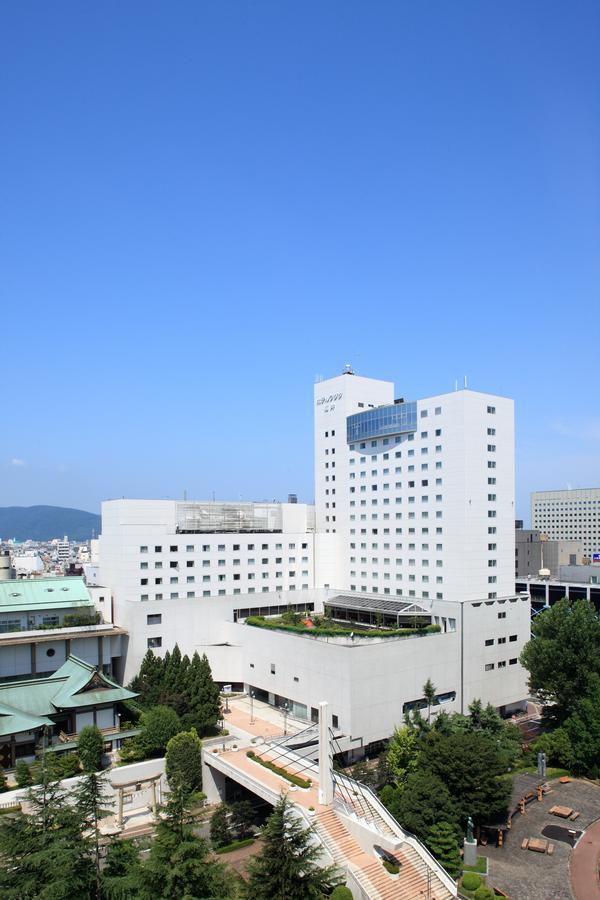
42	523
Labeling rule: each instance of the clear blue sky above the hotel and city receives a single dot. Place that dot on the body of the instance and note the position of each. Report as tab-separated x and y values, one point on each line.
206	204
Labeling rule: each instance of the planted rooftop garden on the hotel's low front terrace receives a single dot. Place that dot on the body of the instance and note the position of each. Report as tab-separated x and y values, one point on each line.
323	626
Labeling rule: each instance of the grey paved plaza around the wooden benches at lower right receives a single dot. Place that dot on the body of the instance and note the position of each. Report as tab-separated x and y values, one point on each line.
525	875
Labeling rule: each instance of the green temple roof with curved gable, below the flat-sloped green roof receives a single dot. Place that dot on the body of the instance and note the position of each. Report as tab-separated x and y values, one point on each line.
76	685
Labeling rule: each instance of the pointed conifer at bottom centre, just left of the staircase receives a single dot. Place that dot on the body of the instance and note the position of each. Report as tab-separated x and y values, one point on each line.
286	868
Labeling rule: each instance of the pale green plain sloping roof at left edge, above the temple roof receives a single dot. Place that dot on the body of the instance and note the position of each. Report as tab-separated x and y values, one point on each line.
25	594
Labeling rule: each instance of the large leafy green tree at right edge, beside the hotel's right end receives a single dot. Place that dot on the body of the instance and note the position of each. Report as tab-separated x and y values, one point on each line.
562	655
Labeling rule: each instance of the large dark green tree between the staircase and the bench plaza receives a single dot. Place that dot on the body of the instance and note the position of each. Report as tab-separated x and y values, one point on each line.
469	766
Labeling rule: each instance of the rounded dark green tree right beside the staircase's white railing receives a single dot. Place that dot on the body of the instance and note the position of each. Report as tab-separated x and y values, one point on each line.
421	803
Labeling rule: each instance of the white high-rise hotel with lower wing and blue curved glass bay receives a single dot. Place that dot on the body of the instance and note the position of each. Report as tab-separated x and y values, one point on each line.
413	516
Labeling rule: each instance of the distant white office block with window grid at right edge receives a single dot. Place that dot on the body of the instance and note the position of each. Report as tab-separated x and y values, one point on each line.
571	515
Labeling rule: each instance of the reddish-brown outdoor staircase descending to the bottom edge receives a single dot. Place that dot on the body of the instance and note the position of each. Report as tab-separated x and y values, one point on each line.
368	870
